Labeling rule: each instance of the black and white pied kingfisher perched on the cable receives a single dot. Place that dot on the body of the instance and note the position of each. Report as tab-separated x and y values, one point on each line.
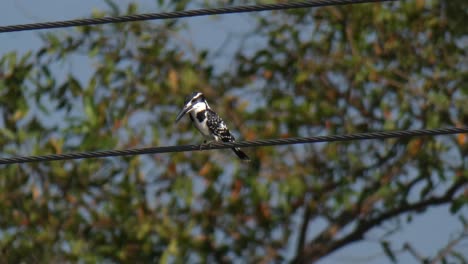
208	122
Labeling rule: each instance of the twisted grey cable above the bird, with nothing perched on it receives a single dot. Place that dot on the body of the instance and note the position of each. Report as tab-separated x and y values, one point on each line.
182	14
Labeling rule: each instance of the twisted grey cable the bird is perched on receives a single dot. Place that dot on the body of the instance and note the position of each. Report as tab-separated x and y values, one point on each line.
245	144
